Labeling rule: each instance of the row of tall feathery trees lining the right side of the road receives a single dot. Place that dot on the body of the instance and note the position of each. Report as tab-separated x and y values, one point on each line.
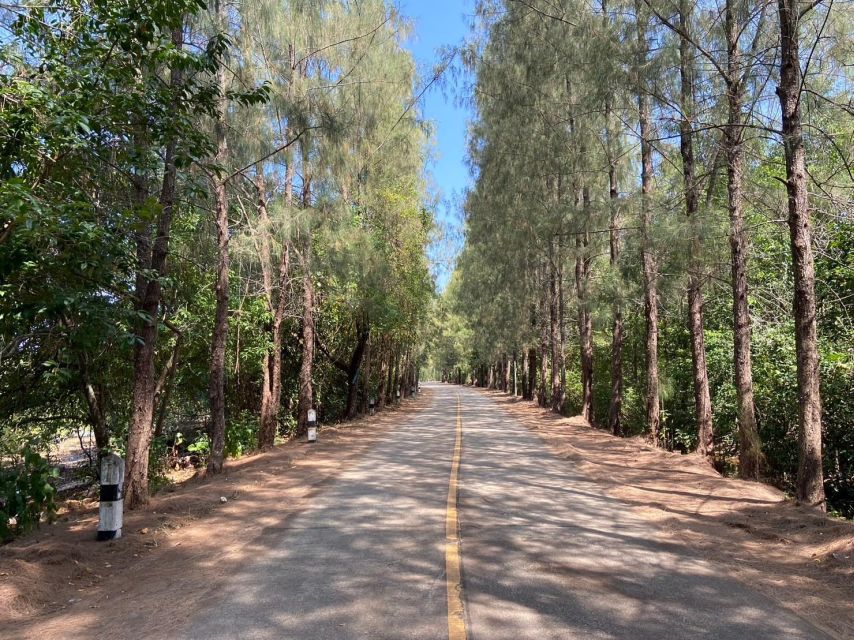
667	185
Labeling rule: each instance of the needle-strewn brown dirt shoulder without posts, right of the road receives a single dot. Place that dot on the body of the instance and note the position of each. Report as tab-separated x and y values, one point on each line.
801	559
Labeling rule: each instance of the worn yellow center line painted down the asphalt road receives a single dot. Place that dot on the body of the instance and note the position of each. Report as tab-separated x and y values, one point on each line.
456	614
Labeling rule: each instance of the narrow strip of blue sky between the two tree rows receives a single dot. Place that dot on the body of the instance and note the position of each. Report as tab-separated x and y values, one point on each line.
440	24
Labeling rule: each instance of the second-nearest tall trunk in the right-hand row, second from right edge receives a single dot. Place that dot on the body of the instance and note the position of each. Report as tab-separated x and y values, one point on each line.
750	447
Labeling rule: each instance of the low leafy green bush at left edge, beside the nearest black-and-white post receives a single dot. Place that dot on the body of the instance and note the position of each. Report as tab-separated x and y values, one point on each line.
26	493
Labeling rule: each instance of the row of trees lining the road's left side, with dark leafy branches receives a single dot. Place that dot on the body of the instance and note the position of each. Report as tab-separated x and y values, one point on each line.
213	218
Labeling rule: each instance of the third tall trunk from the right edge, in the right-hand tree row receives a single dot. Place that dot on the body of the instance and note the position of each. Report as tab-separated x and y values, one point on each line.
702	397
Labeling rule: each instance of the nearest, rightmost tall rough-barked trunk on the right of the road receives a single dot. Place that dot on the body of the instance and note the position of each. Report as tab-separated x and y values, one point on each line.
810	481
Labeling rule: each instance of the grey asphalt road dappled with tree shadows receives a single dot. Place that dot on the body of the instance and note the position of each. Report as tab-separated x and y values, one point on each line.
545	554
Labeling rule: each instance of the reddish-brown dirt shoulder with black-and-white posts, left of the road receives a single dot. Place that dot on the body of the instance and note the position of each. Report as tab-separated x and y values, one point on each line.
176	552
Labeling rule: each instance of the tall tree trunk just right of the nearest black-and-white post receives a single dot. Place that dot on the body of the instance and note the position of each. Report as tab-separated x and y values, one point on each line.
142	395
